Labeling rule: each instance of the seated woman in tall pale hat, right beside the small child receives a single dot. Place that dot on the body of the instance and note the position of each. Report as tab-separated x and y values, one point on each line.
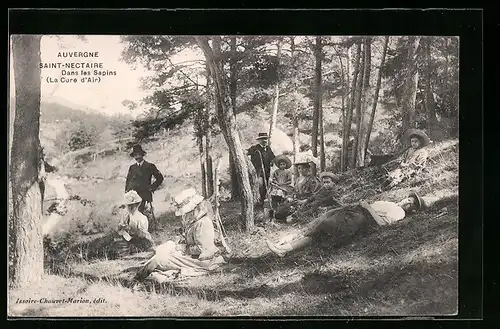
306	186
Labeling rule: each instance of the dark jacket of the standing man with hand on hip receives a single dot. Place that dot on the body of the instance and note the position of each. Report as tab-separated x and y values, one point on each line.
139	180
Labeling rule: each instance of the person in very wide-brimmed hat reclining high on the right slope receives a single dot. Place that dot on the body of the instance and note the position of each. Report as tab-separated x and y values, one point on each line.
412	161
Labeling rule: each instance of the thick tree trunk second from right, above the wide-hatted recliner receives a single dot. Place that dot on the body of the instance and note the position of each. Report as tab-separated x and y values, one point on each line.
409	93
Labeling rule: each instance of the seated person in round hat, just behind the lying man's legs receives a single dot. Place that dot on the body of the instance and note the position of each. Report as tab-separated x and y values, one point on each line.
326	197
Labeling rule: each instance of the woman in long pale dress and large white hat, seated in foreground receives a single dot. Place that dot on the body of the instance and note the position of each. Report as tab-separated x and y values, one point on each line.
196	253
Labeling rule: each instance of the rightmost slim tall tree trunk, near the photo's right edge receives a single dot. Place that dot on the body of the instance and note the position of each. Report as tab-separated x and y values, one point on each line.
430	105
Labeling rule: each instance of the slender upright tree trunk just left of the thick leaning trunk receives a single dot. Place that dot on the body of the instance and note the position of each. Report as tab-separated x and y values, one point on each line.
208	134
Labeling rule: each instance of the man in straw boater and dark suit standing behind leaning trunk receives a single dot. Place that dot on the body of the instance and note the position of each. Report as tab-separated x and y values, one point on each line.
262	157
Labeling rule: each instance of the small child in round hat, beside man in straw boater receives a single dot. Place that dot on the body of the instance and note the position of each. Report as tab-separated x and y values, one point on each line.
281	181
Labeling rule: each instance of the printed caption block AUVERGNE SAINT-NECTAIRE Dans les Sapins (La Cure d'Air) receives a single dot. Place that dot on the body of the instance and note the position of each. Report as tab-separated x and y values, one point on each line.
84	71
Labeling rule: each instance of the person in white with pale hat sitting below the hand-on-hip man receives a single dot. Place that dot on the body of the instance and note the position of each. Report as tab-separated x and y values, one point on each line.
133	226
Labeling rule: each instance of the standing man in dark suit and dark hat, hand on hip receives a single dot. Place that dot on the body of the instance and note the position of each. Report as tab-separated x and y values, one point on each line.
139	179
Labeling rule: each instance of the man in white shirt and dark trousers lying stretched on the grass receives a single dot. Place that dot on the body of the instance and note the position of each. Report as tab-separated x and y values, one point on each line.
348	221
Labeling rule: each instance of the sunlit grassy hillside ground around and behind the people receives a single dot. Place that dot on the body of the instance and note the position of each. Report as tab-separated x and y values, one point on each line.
409	268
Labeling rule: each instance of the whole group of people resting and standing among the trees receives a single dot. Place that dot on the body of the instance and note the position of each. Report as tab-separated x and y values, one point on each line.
196	249
